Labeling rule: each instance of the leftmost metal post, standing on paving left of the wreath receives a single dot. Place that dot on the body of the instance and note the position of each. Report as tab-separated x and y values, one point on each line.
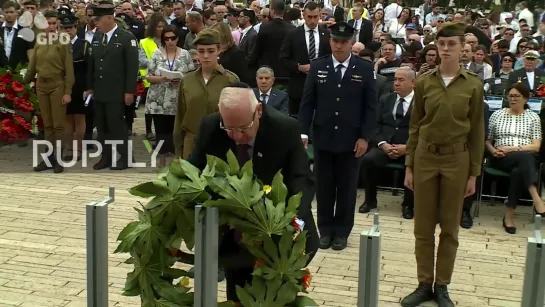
97	251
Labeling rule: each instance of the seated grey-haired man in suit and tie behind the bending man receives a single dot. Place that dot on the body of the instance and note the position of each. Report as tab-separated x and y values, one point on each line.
266	94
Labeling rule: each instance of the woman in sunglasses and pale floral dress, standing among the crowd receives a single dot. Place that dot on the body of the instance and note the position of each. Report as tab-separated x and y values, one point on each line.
162	98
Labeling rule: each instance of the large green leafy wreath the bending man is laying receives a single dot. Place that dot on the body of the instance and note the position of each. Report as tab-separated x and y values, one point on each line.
269	225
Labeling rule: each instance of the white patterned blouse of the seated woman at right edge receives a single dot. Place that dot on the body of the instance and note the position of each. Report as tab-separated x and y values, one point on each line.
514	130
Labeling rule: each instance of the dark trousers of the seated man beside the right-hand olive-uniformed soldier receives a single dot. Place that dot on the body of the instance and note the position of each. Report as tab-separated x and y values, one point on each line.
376	159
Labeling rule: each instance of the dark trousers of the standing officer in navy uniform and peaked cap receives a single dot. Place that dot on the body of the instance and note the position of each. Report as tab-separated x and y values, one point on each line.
337	183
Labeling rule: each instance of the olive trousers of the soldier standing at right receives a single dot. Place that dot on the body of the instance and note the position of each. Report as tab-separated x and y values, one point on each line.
440	177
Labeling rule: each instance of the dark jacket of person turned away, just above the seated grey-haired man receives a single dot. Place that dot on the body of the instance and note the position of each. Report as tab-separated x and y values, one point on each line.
270	38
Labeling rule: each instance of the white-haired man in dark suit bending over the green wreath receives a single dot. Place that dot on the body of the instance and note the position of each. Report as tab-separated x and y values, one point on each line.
273	142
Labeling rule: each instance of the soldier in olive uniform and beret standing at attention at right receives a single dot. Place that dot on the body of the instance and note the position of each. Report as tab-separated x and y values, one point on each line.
444	154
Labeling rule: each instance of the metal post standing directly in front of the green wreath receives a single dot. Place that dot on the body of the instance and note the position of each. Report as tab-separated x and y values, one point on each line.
206	256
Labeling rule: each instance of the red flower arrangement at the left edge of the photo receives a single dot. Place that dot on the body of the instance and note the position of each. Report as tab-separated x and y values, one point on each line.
18	103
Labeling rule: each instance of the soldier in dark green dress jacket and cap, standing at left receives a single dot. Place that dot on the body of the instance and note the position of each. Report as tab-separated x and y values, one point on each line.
111	79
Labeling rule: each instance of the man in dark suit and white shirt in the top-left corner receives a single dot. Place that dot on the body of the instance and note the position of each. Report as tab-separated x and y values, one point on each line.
14	50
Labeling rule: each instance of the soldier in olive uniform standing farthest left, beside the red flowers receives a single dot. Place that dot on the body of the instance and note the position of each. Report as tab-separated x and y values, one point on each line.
52	61
